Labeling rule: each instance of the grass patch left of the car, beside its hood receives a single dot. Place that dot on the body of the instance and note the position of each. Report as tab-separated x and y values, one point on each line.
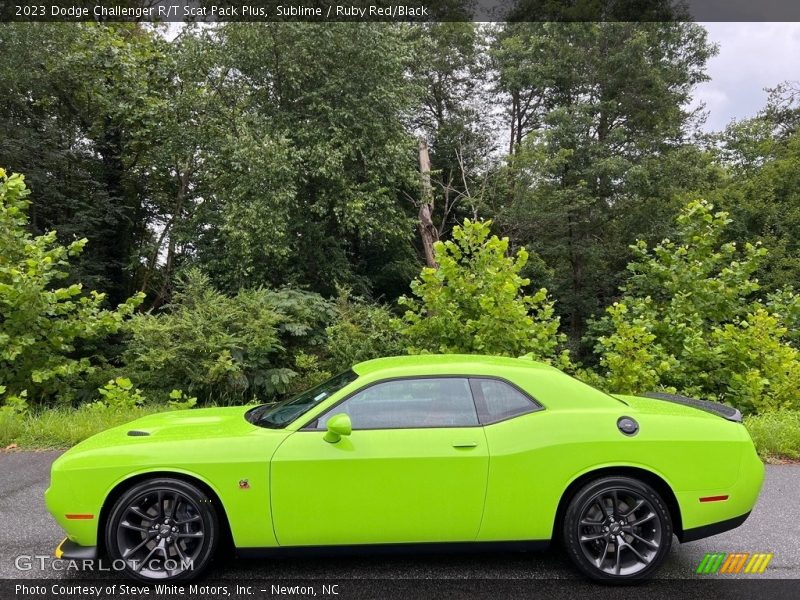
64	427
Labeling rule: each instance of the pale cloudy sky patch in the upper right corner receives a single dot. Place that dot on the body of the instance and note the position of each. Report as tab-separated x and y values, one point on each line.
752	57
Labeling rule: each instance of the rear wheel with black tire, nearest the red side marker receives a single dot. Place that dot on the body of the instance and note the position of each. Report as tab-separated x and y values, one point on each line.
617	530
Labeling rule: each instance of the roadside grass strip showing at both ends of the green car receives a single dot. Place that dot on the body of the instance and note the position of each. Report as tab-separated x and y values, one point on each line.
776	434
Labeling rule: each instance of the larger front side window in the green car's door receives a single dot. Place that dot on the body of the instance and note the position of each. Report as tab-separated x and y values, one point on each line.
409	403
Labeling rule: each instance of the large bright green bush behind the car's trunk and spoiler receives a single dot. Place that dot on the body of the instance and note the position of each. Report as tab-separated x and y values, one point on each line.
687	322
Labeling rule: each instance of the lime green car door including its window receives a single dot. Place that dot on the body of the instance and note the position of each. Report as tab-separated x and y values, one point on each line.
414	469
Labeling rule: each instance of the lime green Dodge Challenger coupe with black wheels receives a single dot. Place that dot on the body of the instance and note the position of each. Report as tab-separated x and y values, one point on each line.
413	452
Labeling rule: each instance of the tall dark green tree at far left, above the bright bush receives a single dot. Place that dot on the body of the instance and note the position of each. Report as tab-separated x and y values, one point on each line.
87	106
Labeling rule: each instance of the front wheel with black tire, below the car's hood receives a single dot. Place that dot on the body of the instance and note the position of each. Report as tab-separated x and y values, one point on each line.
162	530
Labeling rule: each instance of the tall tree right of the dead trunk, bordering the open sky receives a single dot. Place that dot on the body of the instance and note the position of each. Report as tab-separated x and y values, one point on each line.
599	148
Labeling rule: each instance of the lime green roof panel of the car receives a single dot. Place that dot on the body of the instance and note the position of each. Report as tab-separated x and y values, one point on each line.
454	363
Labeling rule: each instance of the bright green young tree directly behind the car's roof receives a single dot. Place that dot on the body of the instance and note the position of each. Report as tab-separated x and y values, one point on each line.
475	303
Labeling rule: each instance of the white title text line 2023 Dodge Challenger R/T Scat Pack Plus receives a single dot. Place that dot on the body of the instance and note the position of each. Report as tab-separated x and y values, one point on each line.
167	12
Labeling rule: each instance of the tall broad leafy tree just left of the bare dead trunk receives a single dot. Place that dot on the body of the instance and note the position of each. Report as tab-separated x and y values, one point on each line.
316	161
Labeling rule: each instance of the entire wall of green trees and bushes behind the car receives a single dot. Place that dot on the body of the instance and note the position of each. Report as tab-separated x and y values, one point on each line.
242	175
